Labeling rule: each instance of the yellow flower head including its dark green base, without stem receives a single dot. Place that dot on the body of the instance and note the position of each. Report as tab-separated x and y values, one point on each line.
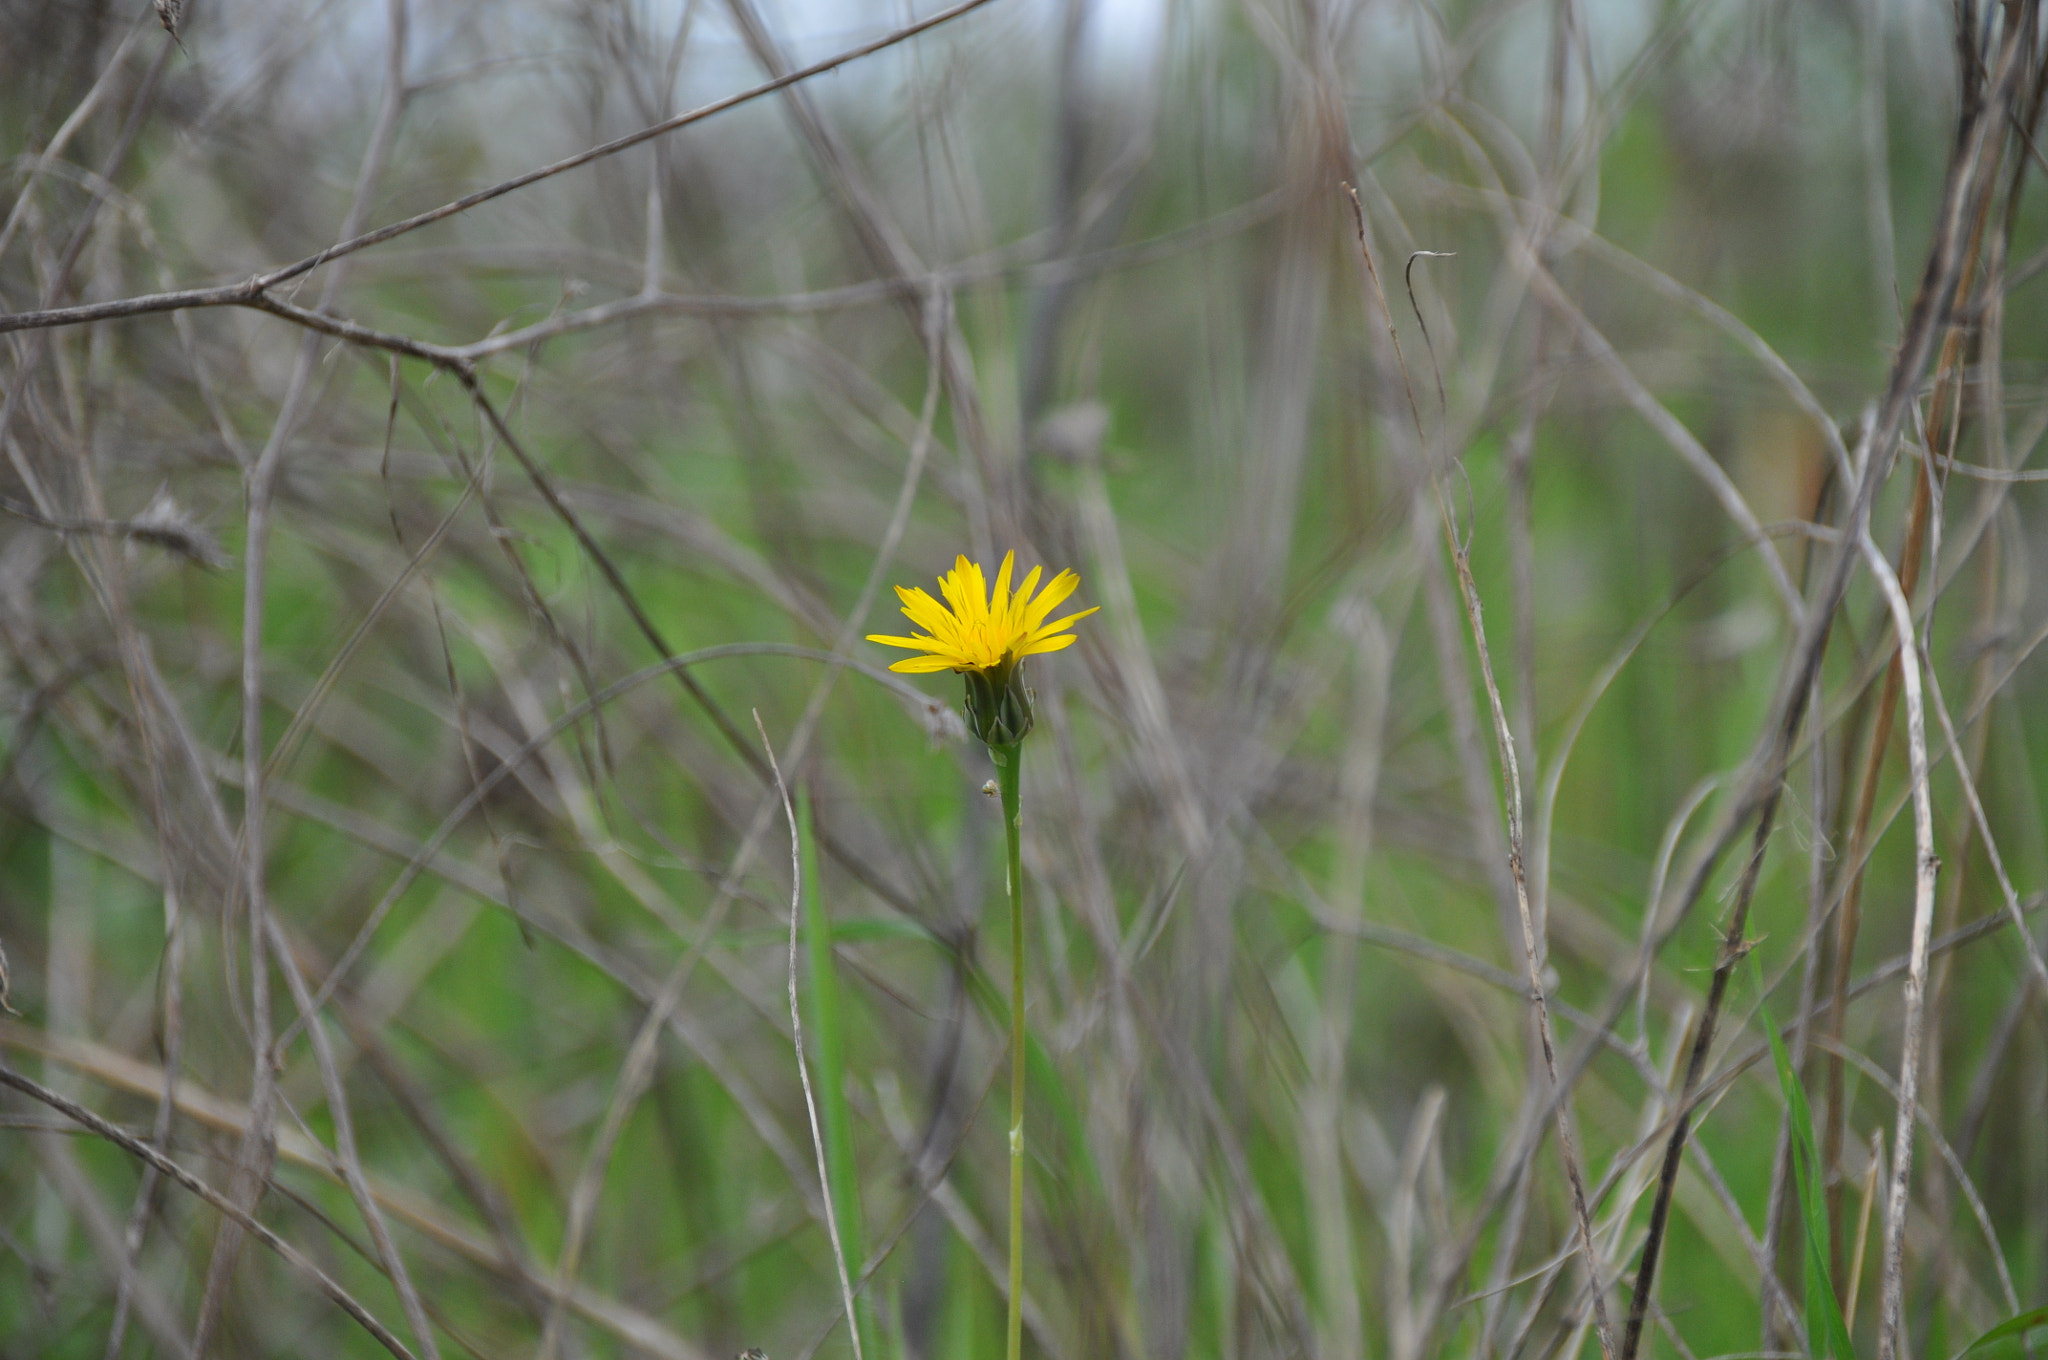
986	636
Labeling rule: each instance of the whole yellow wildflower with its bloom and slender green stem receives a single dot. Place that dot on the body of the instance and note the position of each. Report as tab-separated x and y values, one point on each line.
986	636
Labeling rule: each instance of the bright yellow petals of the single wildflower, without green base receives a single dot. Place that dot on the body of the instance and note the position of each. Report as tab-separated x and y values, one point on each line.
984	632
